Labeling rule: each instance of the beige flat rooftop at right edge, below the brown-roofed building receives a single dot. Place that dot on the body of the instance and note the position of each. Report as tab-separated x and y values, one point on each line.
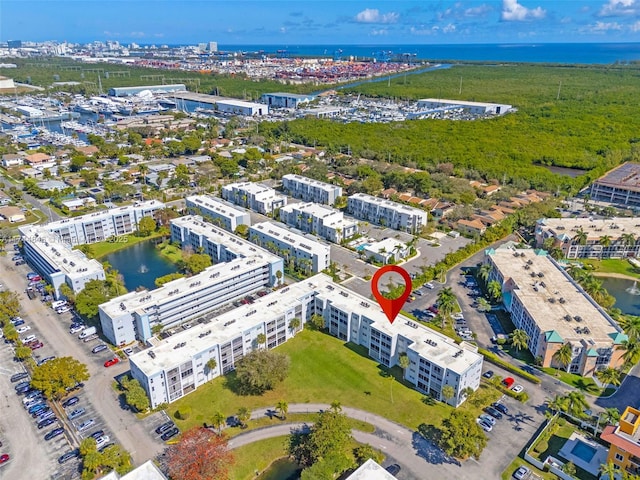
594	229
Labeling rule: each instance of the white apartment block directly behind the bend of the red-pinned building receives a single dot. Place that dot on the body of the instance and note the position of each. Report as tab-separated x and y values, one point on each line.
306	254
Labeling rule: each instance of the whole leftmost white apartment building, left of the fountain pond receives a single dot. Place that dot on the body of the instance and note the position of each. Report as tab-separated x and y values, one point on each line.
56	262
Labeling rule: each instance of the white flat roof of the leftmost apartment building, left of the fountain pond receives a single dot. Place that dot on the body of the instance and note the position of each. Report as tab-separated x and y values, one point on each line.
59	254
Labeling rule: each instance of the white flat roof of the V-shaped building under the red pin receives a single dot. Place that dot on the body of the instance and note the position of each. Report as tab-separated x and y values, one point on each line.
441	349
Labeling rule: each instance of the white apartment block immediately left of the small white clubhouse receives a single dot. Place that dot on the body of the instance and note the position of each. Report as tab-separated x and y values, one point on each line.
320	220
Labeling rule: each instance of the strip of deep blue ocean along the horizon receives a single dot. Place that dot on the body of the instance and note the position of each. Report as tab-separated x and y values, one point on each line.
566	53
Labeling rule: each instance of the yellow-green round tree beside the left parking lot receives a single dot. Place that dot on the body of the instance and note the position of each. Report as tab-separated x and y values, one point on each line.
55	376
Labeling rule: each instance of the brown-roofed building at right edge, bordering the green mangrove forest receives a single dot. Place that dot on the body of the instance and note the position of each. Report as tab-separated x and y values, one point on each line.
620	185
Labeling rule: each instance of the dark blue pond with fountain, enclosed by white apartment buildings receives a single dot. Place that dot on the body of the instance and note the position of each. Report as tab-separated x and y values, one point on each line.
140	265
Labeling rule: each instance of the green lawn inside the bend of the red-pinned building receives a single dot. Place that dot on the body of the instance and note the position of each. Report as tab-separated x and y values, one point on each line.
325	369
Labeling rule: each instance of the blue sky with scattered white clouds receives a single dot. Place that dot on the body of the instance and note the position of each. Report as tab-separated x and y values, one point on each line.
286	22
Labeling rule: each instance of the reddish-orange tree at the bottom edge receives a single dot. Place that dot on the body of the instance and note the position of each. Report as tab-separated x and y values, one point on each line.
199	455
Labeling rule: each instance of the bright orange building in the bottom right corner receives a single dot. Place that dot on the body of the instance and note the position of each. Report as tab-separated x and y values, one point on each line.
624	440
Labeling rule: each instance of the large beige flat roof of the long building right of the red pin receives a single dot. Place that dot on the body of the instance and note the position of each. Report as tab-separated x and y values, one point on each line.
554	300
